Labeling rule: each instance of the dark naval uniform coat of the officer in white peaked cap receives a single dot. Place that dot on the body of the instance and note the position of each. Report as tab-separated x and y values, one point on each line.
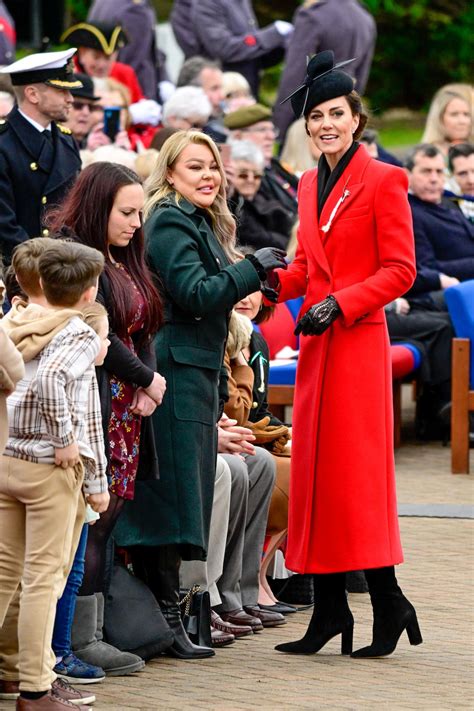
35	173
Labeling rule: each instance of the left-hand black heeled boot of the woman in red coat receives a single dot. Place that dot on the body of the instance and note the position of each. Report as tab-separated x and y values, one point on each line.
331	617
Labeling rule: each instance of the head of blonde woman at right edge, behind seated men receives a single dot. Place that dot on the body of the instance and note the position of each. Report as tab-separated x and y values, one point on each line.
450	117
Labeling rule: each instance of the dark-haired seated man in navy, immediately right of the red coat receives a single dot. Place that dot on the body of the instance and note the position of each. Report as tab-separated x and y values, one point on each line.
444	238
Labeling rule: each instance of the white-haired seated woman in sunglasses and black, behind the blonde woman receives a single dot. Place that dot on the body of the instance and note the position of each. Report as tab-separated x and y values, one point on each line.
261	222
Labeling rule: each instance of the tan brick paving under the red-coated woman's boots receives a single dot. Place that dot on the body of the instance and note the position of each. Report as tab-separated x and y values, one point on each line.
438	577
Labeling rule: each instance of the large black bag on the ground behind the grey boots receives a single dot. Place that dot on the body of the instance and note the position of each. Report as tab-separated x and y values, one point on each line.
133	621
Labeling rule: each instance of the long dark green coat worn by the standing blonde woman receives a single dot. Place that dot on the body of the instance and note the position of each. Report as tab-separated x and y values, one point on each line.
200	287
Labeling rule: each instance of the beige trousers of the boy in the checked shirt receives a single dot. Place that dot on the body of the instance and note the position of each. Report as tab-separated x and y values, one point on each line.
42	512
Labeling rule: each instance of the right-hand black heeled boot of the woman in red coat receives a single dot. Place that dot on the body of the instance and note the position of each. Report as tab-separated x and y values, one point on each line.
393	614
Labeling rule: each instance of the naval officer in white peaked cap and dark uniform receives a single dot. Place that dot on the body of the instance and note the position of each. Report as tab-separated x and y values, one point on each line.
39	159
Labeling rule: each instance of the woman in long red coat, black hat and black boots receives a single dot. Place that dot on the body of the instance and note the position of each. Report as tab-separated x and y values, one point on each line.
355	254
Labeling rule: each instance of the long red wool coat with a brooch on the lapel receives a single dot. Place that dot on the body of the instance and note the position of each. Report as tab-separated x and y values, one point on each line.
343	509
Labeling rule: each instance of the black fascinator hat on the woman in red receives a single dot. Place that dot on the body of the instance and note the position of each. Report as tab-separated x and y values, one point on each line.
323	81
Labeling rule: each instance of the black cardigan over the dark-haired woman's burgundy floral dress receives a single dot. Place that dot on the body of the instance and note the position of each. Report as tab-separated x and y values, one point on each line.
137	369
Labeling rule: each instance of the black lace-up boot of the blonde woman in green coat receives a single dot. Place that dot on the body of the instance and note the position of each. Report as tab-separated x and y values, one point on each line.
158	567
